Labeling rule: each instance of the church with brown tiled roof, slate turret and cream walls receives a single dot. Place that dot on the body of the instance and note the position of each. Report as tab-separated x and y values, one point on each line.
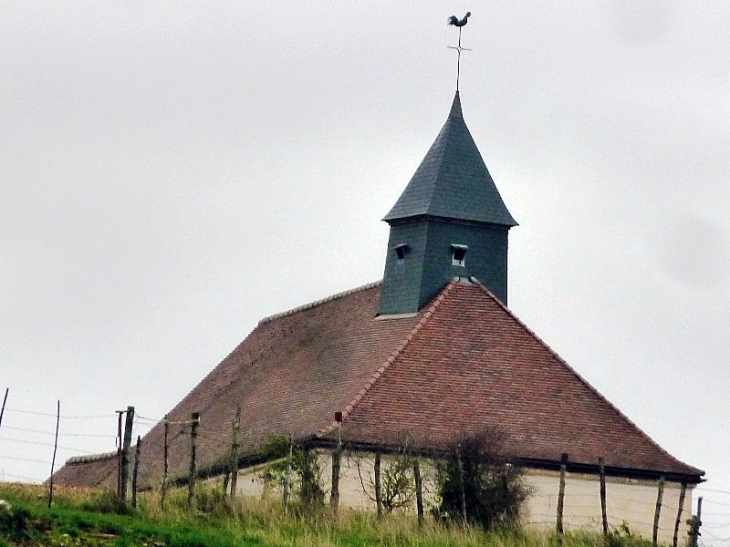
426	356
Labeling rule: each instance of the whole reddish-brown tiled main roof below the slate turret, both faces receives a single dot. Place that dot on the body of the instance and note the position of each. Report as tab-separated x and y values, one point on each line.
462	363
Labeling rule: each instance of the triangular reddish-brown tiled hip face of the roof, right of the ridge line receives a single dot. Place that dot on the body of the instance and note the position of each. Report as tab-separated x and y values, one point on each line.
474	364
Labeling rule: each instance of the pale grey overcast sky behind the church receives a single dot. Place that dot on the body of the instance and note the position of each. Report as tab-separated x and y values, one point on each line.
172	172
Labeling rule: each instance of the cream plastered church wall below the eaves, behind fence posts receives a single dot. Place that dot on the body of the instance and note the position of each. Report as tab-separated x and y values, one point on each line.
628	500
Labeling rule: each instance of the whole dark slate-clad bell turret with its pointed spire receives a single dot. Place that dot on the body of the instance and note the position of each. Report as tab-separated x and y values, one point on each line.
450	221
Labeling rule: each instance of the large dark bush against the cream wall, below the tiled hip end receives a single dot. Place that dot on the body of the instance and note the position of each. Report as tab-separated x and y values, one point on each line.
477	480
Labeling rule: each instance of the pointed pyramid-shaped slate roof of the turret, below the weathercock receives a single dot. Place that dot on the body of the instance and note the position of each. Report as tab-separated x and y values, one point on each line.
453	181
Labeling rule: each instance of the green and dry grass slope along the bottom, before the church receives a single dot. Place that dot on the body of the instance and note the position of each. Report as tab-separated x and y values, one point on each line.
83	517
